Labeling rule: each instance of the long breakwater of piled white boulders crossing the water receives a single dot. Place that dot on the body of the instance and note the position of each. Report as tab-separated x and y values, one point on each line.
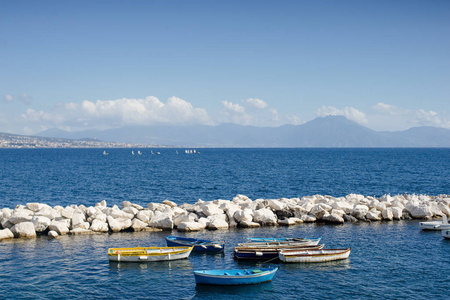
33	219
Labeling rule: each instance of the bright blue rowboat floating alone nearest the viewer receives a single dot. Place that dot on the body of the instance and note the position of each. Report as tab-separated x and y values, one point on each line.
235	276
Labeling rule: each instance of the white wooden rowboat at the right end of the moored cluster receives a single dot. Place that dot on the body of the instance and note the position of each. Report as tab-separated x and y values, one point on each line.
323	255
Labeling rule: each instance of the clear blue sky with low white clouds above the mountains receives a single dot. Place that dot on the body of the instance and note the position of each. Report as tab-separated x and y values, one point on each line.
78	65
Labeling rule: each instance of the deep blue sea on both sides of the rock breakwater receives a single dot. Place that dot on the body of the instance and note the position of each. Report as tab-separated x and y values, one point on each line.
389	260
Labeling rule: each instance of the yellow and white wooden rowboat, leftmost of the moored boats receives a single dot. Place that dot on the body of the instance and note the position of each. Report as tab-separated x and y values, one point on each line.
148	254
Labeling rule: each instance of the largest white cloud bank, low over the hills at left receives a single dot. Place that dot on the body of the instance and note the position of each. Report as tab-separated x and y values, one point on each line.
120	112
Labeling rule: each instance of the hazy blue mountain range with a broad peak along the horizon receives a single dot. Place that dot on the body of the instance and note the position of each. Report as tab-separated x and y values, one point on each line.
330	131
